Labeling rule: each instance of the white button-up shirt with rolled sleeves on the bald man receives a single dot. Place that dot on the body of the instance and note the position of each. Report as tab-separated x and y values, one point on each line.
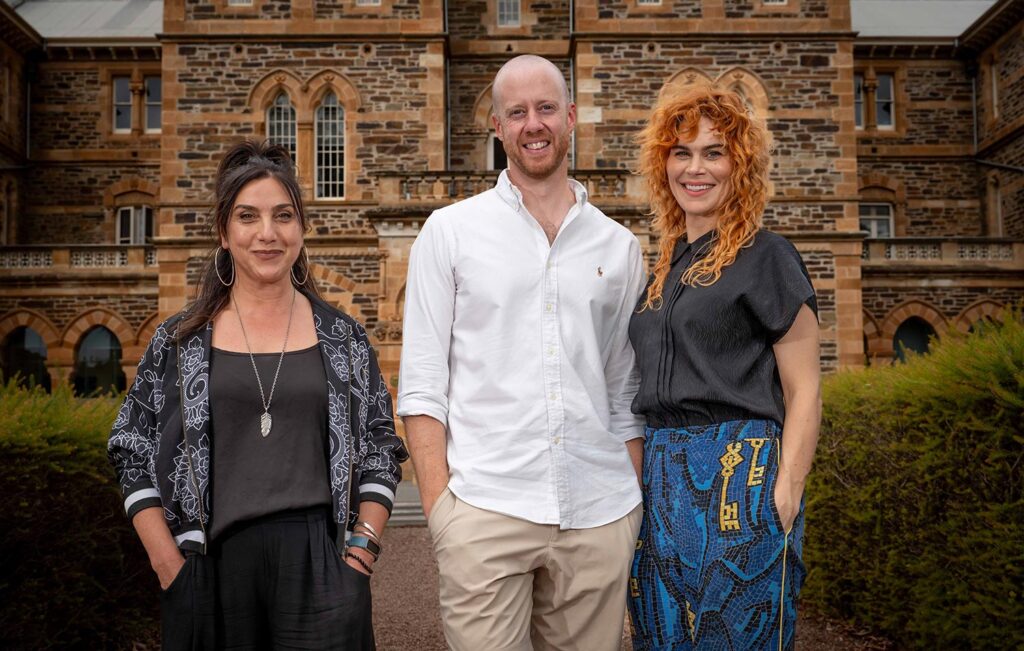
522	350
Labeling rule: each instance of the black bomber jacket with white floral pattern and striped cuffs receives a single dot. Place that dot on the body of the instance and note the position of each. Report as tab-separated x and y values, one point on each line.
162	464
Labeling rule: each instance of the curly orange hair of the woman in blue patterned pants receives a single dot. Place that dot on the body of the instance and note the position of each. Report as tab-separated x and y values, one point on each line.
749	147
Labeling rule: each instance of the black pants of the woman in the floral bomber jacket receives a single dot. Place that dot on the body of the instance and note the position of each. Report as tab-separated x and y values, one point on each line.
275	583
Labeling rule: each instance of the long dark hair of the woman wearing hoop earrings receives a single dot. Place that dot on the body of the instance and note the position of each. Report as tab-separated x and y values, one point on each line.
243	164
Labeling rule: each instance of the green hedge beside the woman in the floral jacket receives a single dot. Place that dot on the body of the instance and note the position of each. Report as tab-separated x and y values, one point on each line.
73	573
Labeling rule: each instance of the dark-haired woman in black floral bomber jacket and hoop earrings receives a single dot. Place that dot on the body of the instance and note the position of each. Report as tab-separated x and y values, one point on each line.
257	450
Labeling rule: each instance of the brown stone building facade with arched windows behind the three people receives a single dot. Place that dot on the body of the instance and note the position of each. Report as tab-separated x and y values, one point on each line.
109	142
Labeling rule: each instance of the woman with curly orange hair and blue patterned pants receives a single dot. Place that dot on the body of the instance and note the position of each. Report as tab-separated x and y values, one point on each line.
727	338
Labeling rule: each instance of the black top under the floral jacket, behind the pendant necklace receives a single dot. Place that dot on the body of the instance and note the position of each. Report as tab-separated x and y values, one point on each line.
254	476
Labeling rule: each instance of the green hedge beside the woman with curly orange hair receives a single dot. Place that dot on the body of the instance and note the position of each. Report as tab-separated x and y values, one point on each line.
915	509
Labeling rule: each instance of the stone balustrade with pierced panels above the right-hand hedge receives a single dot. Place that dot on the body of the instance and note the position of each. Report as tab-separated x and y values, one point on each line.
988	252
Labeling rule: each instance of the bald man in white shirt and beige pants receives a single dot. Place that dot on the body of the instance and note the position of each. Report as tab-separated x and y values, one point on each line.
517	382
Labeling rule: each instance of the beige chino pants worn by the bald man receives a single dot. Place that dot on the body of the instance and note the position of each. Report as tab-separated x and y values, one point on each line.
511	585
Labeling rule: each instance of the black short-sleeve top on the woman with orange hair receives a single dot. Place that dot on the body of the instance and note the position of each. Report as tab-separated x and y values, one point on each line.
706	355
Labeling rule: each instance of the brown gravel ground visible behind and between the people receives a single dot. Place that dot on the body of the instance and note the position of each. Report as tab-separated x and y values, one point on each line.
407	618
